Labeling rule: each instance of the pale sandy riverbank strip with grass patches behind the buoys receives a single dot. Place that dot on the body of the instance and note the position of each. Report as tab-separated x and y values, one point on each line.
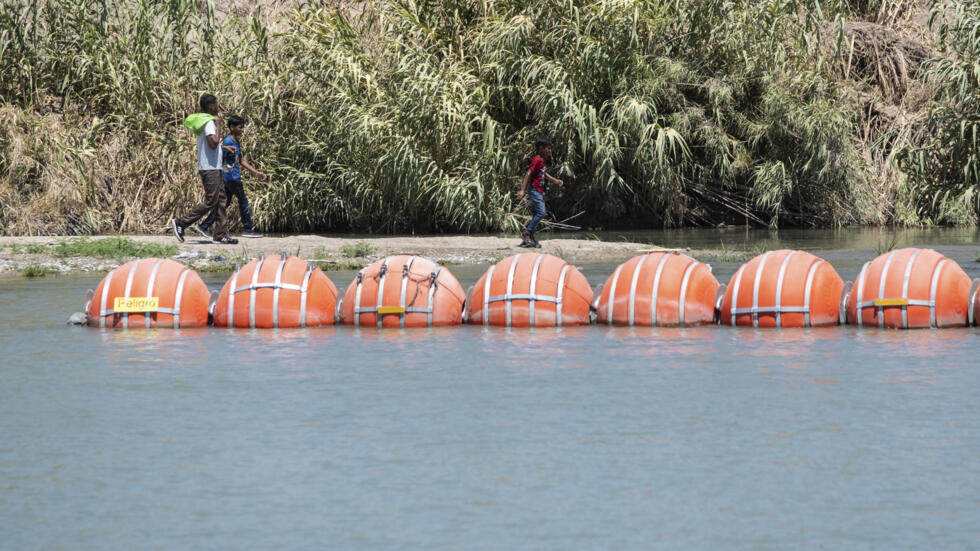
39	255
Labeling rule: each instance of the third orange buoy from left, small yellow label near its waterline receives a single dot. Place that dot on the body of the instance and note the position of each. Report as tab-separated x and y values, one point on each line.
403	291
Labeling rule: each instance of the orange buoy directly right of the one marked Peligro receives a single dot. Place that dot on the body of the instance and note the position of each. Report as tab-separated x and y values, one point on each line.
276	291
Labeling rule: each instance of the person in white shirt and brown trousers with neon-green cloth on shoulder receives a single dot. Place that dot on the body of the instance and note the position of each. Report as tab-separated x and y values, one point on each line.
205	125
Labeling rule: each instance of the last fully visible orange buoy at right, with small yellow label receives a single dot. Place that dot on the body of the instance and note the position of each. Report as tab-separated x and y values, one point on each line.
909	288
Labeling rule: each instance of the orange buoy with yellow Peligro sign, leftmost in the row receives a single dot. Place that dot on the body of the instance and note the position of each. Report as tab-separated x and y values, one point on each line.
151	292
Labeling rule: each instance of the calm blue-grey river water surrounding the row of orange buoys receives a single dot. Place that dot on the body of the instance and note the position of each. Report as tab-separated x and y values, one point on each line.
490	438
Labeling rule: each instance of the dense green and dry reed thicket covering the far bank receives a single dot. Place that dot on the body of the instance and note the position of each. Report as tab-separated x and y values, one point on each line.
418	115
